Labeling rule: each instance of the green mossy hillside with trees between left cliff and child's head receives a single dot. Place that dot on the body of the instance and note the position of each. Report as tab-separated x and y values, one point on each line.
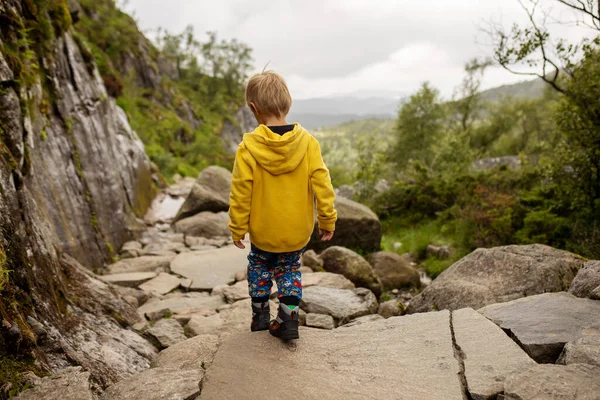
177	93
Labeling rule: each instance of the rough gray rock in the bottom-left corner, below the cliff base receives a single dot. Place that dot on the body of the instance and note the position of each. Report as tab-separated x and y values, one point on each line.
72	383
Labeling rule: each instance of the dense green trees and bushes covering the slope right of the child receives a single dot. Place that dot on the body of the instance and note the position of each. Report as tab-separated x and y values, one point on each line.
478	173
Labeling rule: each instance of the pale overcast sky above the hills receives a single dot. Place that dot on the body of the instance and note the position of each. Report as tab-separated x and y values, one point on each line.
332	47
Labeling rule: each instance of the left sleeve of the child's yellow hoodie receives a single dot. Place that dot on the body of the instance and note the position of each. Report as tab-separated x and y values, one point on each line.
240	198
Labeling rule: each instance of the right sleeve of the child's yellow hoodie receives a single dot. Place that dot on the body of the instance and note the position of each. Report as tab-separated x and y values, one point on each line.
321	184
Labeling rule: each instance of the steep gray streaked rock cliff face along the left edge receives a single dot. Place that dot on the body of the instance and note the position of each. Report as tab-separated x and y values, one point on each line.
73	178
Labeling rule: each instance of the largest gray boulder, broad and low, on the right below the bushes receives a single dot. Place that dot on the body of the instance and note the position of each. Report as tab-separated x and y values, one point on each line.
499	274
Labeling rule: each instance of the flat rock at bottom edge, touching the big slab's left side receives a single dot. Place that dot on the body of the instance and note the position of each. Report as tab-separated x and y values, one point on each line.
157	384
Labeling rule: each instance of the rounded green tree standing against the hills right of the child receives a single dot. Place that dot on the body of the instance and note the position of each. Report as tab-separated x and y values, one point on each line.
420	123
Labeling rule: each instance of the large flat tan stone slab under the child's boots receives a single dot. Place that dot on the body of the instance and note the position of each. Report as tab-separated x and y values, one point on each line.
402	358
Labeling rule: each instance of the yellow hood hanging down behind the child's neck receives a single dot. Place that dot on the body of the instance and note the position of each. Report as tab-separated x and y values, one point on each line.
277	154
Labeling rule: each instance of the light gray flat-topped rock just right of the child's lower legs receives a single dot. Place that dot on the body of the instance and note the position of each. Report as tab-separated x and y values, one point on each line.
343	305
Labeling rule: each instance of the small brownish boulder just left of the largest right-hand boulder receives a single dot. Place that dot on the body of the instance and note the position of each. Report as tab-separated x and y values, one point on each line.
394	271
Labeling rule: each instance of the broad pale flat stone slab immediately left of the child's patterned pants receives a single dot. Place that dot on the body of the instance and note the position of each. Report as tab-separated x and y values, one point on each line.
210	268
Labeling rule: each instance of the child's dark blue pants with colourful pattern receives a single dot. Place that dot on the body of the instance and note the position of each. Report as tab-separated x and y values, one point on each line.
286	268
